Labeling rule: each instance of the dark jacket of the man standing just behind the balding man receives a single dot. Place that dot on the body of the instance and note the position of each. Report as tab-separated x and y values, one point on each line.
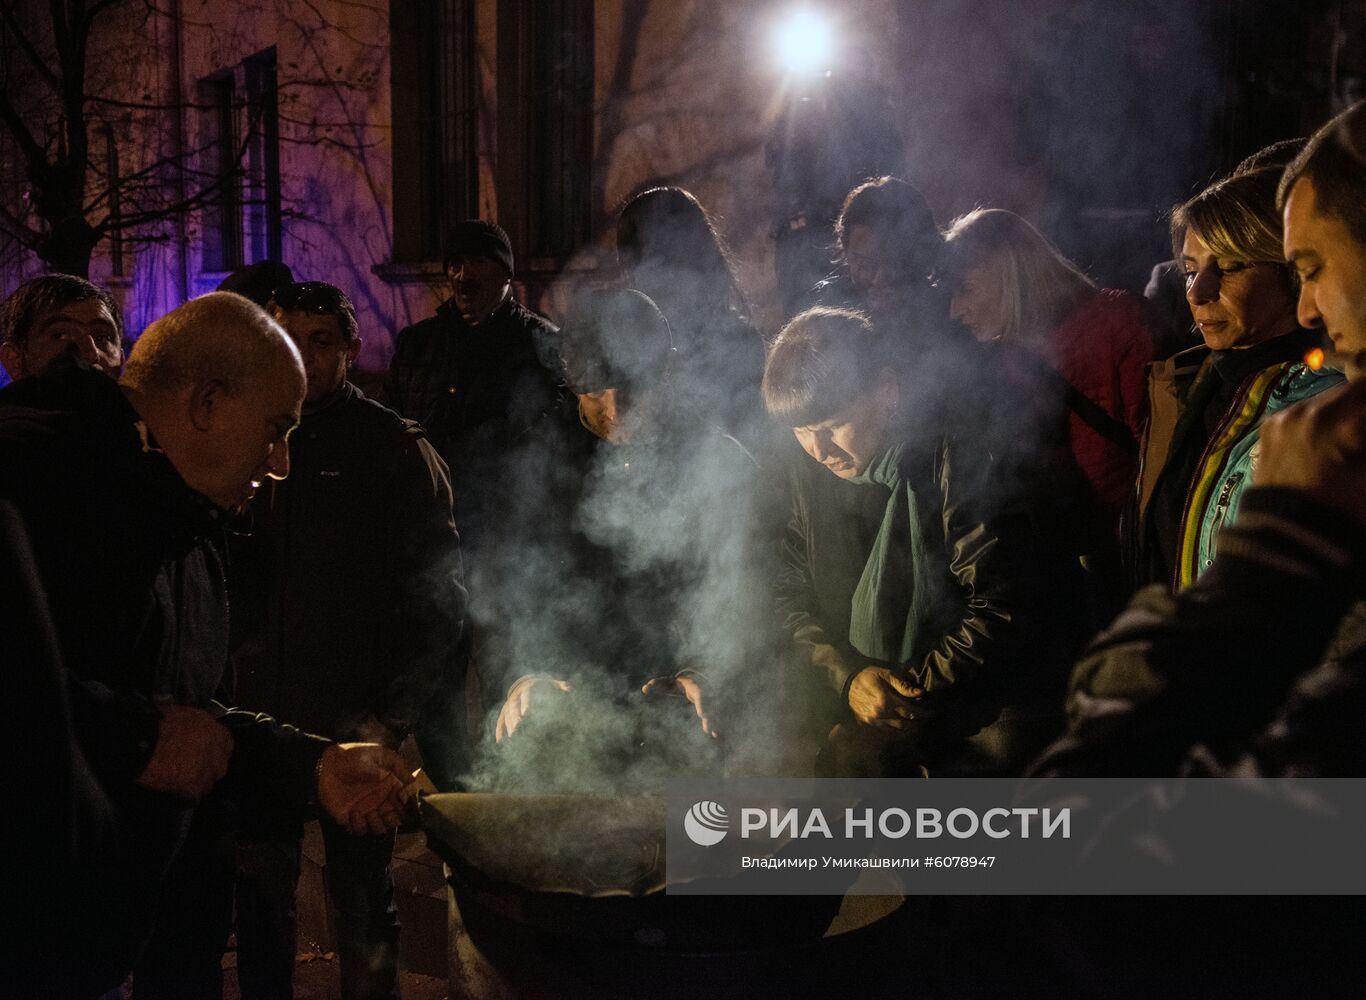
348	594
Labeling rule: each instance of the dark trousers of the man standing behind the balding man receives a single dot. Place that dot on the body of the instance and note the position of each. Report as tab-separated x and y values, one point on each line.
360	880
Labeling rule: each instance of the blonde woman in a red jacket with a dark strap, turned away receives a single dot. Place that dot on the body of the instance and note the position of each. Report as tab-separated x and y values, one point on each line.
1014	289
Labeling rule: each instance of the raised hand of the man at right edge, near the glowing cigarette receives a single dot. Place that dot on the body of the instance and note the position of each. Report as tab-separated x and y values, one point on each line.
1320	447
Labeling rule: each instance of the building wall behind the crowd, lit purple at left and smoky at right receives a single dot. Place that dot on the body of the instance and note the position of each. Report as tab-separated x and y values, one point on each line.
1087	120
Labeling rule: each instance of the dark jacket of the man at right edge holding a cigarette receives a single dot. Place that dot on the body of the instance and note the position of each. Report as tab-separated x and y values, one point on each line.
1255	669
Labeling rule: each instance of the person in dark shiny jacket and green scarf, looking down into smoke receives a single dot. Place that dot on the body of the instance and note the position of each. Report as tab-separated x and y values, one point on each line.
928	622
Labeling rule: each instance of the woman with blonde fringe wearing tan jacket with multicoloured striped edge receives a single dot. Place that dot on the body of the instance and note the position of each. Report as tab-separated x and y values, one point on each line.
1208	402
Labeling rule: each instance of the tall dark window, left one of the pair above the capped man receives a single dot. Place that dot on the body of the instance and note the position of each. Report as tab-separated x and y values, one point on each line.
436	170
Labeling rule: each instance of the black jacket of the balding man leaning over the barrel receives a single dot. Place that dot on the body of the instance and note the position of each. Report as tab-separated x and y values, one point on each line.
130	561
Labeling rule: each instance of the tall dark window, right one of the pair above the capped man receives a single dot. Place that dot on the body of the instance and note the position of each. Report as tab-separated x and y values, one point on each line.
546	125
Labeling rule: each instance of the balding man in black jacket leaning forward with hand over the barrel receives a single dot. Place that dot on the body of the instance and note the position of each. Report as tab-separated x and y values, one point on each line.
122	491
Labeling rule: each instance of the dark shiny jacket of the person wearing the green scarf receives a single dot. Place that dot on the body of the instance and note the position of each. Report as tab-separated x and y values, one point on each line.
995	654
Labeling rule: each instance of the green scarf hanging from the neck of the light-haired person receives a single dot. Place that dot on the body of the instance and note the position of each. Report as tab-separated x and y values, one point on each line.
889	606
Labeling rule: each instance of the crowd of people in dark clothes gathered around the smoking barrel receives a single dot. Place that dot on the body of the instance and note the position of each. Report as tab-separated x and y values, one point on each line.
965	514
